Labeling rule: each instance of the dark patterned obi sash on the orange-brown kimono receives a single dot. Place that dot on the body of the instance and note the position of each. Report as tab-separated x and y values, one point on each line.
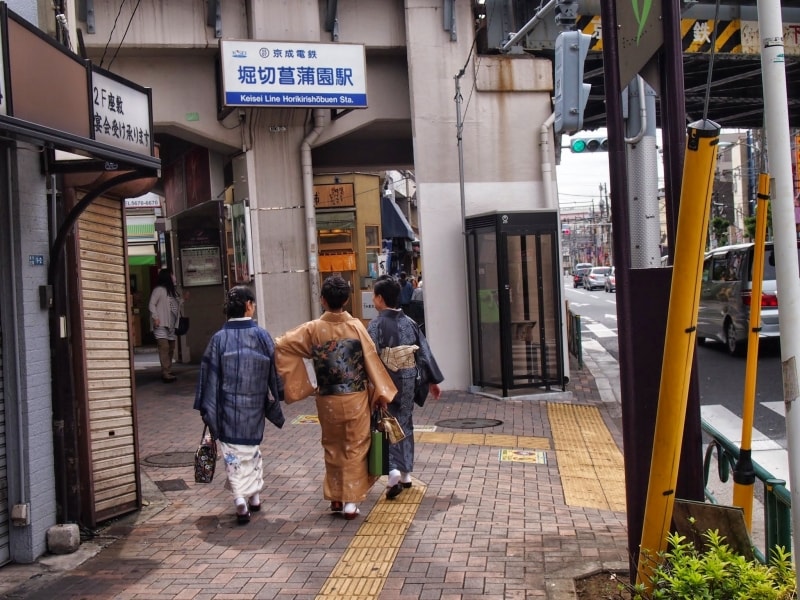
339	365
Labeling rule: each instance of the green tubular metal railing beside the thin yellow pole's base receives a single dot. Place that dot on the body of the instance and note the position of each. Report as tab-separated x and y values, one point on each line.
777	499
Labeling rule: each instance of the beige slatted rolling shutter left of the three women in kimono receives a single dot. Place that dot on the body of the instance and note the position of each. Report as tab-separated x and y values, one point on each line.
109	447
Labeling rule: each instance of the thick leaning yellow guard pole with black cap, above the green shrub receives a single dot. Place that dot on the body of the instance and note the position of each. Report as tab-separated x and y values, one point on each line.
679	346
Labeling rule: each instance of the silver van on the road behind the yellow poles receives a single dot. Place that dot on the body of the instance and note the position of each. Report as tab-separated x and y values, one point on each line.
725	296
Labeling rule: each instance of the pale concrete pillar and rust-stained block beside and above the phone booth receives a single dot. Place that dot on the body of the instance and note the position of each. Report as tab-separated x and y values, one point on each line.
501	160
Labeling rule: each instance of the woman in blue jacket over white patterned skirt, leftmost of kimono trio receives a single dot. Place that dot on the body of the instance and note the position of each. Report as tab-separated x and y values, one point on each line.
237	389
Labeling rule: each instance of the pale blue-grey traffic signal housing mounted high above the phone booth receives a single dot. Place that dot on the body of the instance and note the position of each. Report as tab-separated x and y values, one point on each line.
571	94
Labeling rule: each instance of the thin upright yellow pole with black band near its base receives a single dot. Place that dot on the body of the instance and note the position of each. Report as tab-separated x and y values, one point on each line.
743	475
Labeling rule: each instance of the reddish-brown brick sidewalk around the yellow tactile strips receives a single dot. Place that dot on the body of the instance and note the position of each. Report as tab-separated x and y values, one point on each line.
484	528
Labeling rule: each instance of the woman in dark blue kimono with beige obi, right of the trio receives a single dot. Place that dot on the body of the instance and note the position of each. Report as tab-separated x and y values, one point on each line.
413	369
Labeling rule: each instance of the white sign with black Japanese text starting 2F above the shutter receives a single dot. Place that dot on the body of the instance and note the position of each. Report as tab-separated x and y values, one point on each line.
121	114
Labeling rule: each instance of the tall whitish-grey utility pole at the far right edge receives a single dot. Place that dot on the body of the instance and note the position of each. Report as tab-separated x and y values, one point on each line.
776	115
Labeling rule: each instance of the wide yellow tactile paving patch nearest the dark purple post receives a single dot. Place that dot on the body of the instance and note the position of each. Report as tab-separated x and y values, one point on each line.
596	478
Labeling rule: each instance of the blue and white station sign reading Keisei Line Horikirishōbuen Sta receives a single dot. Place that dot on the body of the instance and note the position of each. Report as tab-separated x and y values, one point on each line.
293	74
